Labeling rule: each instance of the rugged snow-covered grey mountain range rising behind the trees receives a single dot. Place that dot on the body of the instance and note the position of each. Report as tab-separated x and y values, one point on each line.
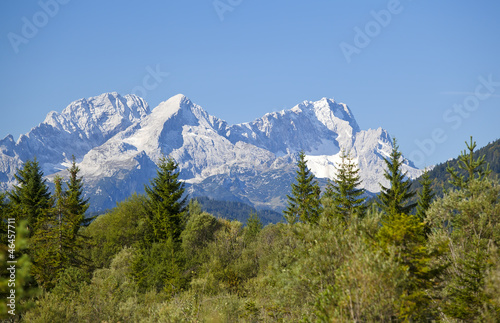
117	141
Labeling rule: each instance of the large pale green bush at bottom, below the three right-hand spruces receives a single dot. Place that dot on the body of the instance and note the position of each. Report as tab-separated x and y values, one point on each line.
366	286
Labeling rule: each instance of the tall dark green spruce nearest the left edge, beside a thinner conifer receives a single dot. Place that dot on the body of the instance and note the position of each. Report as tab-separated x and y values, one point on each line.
31	197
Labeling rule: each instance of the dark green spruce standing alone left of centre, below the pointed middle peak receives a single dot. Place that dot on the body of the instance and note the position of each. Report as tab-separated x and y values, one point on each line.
166	202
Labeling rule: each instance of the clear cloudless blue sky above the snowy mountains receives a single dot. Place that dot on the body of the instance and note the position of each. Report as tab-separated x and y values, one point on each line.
427	71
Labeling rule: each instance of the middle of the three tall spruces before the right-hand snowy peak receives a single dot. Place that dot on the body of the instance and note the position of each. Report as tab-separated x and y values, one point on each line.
343	191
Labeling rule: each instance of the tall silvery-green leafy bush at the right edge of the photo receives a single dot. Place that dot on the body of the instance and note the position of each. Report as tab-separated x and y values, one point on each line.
469	221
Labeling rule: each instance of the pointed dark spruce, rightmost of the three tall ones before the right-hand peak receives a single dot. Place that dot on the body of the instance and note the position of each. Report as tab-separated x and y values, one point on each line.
395	198
